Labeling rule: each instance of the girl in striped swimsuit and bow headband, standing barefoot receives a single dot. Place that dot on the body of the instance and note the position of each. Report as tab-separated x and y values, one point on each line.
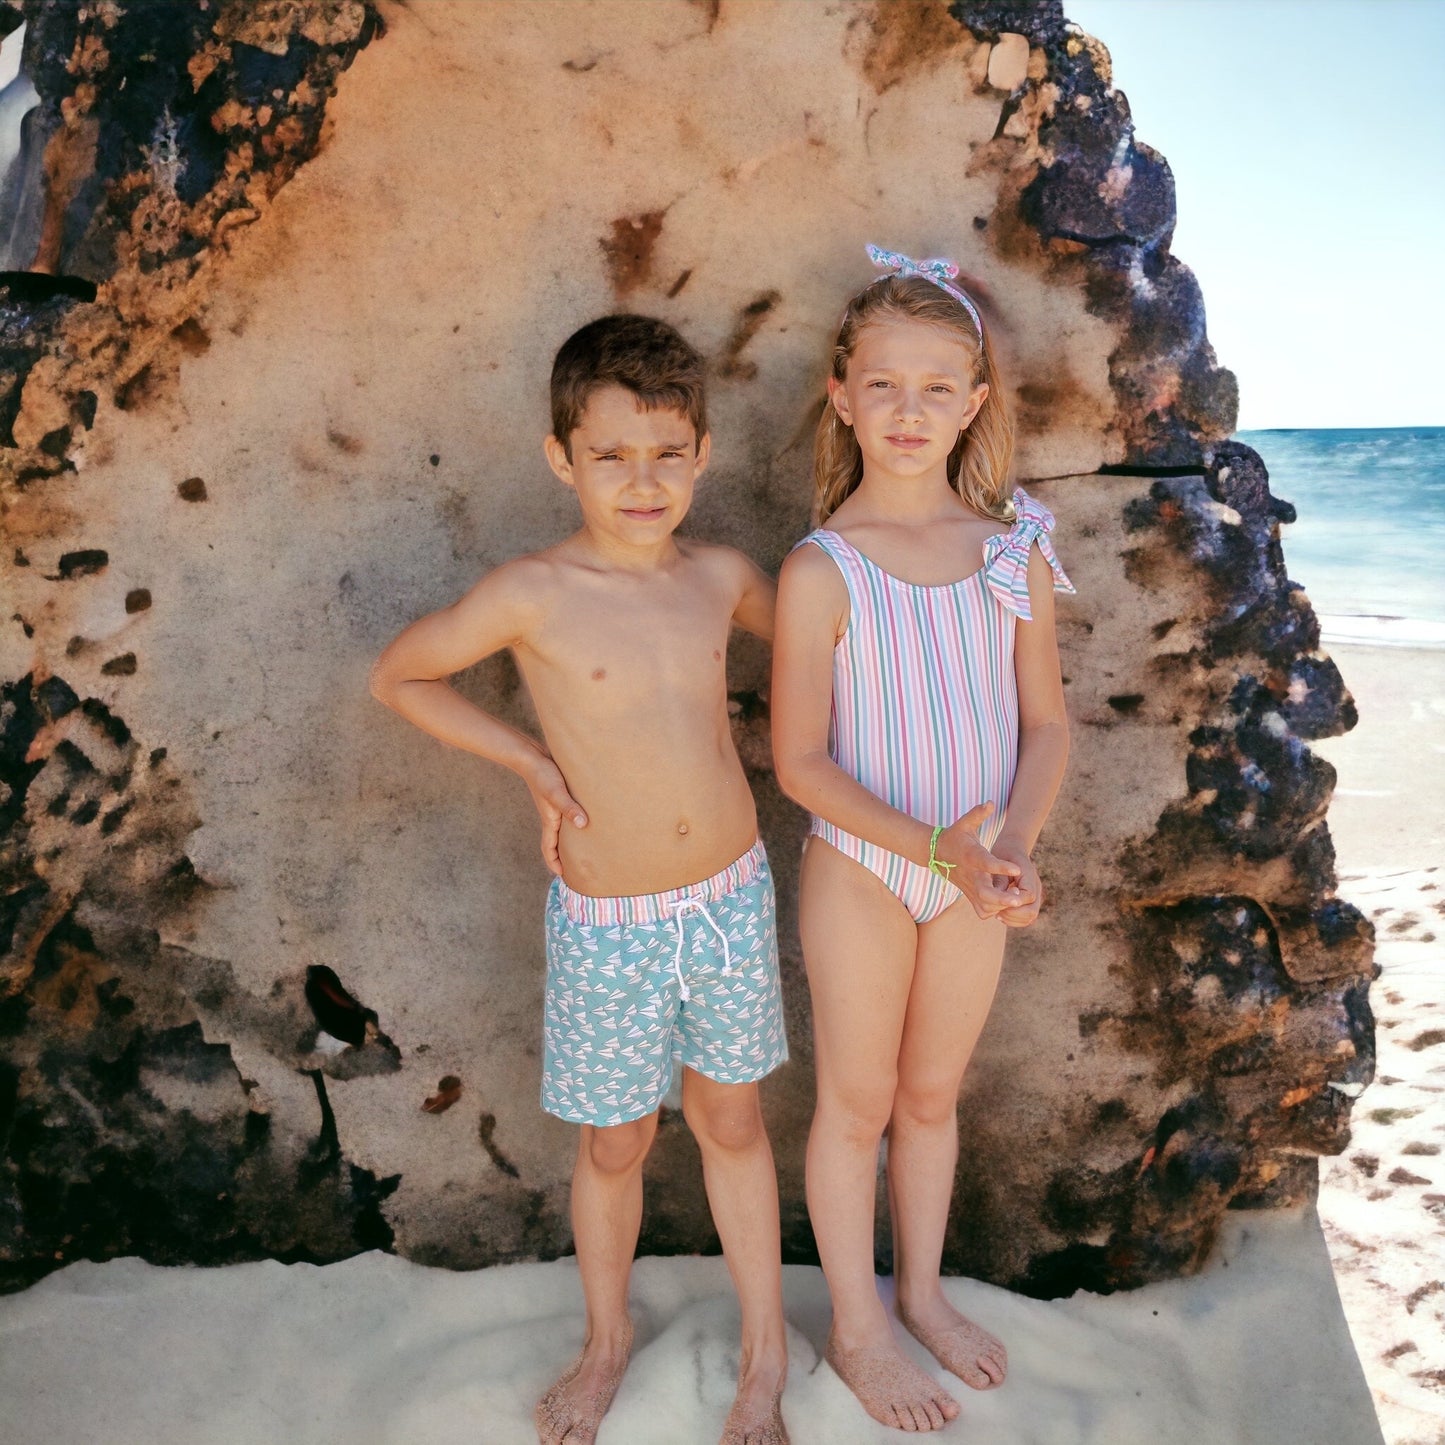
918	713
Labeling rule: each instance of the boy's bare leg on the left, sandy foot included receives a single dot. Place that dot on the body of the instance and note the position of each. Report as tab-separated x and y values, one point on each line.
606	1219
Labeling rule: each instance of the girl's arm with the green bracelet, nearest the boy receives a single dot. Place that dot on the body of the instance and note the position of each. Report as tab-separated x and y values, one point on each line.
813	612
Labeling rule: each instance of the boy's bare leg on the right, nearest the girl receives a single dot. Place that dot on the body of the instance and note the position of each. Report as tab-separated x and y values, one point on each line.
742	1184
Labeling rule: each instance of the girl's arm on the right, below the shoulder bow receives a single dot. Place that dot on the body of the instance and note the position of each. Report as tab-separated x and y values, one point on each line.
1044	738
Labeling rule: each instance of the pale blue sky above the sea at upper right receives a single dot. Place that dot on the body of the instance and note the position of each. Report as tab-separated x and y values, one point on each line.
1308	145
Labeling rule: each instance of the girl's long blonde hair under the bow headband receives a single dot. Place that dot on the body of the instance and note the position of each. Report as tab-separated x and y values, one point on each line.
979	463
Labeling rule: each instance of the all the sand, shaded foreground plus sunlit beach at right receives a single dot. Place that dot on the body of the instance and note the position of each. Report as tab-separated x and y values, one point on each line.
376	1349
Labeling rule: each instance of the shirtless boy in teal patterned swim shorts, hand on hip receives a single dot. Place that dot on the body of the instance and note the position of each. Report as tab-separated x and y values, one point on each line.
660	924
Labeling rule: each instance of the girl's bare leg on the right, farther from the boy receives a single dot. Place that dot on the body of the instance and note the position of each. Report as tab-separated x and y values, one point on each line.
954	983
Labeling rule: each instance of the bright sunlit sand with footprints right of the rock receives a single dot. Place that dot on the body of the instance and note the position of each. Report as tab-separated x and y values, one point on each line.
1384	1202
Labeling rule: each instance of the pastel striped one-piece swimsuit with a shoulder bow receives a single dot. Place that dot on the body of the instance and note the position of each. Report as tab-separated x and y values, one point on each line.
926	700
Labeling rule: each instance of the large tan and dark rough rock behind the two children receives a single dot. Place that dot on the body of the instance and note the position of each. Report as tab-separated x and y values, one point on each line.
274	346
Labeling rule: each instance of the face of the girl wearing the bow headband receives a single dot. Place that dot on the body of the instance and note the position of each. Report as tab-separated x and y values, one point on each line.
908	395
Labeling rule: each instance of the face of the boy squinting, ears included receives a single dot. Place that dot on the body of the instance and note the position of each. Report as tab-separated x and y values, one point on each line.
632	470
